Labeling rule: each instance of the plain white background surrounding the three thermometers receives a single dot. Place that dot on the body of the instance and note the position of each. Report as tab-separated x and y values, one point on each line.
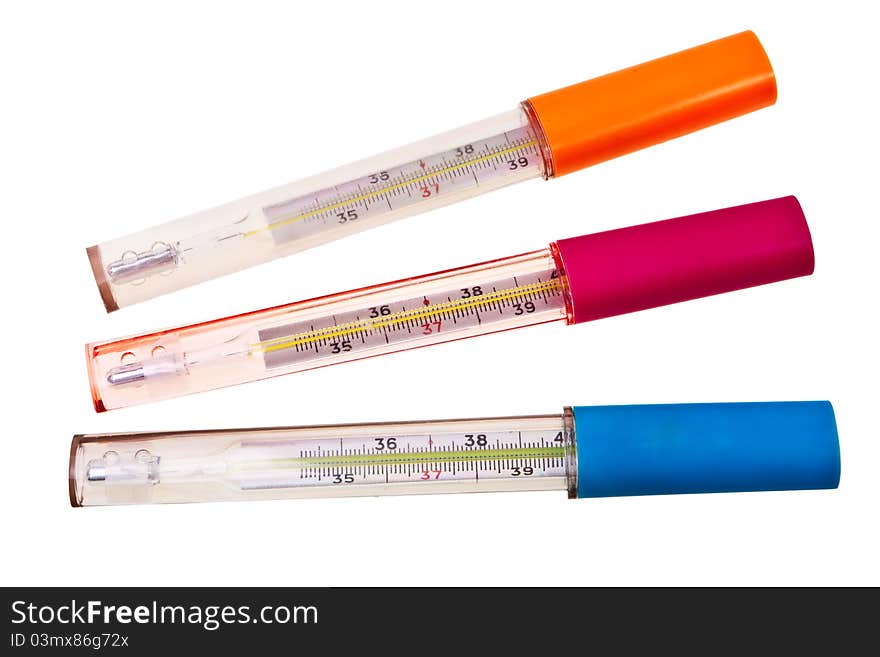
115	118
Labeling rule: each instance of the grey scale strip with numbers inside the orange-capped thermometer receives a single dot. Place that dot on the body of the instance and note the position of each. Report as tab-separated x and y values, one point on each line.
418	180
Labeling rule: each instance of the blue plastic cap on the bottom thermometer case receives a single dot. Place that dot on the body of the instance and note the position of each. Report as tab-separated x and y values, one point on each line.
664	449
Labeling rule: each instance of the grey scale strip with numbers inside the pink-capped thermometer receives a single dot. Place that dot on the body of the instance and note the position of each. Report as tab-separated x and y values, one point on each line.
396	322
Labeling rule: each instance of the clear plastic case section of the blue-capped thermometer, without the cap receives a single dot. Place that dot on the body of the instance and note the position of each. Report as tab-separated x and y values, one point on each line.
450	456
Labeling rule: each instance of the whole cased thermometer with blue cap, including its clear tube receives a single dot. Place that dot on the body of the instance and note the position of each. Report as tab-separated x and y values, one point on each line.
588	451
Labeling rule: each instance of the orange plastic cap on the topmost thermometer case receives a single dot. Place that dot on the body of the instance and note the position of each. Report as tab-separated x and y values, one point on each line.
622	112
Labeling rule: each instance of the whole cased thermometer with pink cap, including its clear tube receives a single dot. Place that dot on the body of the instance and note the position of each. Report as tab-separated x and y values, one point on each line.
573	280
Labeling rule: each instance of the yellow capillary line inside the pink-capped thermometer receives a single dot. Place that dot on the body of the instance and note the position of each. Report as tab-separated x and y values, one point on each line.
268	346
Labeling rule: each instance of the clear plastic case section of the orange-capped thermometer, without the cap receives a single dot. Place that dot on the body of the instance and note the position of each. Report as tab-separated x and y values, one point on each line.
446	168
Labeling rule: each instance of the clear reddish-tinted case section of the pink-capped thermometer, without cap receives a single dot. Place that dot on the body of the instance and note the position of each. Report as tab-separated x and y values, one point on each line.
493	296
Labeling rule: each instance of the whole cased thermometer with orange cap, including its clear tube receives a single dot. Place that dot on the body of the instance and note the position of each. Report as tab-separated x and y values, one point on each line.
547	135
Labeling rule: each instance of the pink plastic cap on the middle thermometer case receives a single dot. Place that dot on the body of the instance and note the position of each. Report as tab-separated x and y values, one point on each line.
622	271
